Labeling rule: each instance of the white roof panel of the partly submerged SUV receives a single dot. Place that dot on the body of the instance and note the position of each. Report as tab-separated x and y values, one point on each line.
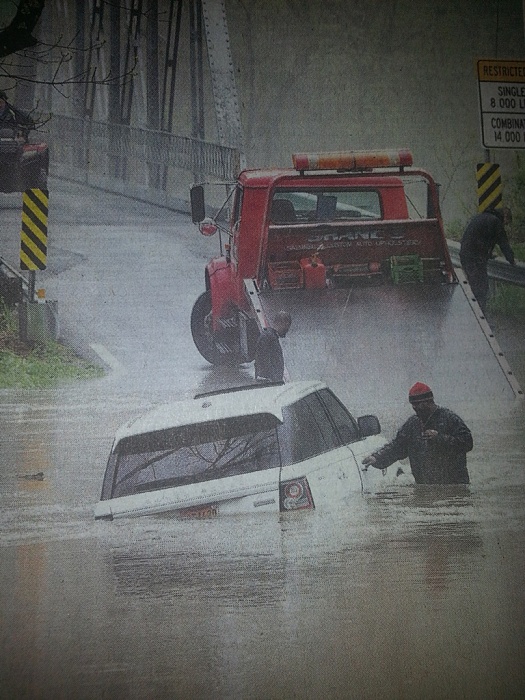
228	404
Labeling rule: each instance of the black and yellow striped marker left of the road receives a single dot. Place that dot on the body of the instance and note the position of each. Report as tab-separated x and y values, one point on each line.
33	236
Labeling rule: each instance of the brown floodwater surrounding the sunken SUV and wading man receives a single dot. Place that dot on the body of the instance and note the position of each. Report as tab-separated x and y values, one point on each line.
418	592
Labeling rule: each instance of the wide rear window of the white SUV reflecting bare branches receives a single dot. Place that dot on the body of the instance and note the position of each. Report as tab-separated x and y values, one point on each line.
179	456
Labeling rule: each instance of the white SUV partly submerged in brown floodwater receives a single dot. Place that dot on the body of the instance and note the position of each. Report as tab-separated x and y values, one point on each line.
262	448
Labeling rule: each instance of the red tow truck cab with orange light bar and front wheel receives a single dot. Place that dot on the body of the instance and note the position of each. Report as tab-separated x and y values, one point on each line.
332	220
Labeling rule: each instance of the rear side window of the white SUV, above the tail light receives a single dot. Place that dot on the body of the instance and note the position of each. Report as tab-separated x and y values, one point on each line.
306	431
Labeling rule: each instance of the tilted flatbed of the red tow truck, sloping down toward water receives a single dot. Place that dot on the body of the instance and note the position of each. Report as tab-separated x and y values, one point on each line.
366	334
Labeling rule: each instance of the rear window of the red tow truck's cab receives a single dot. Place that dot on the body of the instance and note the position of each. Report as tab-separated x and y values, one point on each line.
299	206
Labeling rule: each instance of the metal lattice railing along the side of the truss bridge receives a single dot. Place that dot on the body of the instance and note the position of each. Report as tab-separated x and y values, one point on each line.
155	166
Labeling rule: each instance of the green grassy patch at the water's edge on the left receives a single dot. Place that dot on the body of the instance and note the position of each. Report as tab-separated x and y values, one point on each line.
26	366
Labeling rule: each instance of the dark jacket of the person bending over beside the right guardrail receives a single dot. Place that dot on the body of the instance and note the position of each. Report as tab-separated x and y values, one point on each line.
484	231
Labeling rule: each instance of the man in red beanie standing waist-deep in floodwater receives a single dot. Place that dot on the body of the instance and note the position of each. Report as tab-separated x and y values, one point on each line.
435	440
